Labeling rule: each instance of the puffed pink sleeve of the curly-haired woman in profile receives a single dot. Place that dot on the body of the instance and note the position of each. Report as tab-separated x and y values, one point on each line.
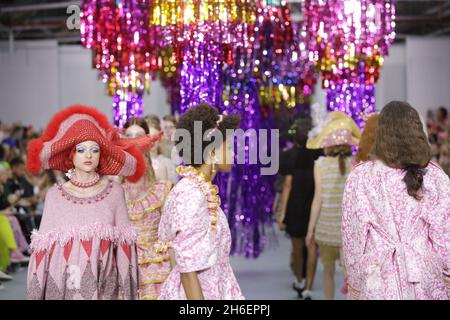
186	223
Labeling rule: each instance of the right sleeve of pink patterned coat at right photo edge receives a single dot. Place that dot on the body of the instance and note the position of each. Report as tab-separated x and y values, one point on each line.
439	221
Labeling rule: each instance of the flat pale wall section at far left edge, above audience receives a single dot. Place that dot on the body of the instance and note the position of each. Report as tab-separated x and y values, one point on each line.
29	82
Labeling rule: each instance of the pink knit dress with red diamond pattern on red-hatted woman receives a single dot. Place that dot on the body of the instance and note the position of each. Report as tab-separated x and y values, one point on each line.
85	248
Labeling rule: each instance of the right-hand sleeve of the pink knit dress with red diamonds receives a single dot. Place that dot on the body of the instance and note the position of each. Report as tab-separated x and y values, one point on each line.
126	252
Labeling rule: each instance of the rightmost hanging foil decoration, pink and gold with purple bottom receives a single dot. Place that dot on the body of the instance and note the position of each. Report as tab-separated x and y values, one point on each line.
347	41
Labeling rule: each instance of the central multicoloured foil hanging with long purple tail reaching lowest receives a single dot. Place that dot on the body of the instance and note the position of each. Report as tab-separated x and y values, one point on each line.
260	80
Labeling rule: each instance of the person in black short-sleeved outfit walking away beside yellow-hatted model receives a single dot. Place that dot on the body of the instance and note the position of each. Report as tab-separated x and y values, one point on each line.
297	166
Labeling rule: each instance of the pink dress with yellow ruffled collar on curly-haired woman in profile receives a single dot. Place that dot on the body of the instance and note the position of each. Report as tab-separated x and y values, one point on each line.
197	230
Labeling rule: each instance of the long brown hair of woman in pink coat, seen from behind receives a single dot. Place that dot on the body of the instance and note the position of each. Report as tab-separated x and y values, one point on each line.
402	143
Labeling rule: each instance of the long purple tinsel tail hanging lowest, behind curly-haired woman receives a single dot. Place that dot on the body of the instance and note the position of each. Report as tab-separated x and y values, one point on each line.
247	196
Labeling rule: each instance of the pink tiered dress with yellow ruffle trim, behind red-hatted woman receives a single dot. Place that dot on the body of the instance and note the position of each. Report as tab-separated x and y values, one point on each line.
145	214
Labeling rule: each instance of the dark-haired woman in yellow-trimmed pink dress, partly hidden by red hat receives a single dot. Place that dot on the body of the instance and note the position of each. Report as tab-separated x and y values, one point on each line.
145	199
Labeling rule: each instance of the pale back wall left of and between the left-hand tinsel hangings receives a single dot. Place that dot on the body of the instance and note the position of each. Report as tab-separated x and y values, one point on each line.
39	78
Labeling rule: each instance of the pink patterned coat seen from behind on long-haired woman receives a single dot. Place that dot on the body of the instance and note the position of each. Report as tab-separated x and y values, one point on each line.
396	247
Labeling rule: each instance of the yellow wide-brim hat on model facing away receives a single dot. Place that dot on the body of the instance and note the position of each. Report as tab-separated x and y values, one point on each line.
339	130
